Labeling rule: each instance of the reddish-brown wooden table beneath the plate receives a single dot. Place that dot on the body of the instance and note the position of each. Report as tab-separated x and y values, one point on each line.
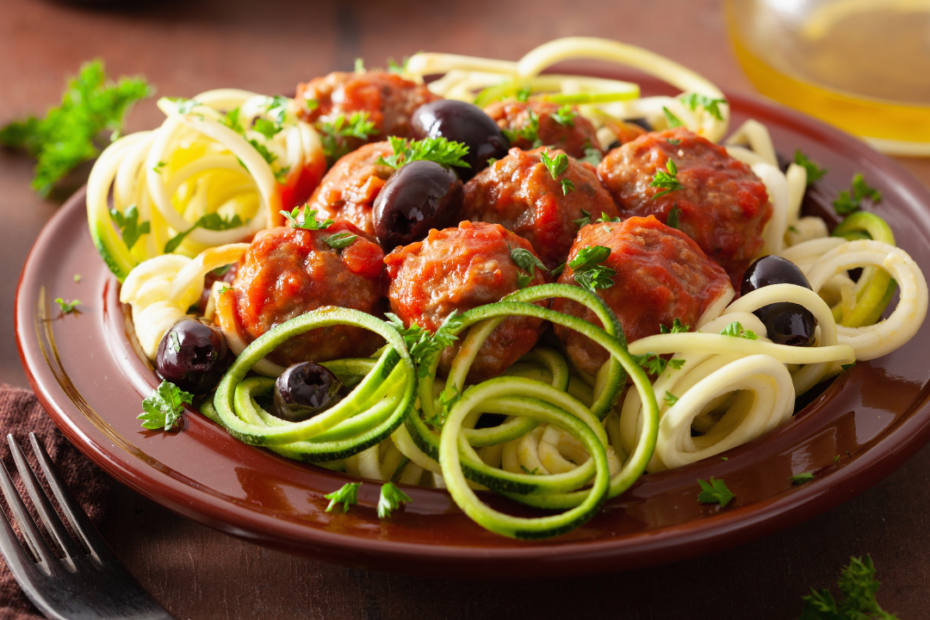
185	47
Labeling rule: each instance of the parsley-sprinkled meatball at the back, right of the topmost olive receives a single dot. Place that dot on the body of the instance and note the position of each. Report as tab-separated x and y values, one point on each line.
572	134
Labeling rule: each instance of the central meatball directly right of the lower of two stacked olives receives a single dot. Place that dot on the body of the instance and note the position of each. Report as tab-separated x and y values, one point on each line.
519	193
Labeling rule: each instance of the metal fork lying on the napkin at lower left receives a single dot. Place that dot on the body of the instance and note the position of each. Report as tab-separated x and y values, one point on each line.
88	581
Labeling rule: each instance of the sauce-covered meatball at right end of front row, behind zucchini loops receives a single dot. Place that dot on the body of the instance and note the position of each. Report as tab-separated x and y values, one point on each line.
662	275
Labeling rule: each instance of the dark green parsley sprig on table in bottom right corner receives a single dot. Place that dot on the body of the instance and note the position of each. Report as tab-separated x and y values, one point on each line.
858	585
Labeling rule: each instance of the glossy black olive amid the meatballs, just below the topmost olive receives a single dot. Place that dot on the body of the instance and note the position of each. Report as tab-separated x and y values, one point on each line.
419	196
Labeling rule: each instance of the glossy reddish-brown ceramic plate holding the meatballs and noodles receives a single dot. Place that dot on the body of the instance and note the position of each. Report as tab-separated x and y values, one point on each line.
91	381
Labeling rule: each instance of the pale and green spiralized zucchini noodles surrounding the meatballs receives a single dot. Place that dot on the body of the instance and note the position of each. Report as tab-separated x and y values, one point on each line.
544	433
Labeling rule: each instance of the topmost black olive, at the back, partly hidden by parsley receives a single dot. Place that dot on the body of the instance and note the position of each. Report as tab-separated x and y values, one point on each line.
461	122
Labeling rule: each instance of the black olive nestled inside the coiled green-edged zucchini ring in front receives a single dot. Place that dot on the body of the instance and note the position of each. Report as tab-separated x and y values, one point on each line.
304	390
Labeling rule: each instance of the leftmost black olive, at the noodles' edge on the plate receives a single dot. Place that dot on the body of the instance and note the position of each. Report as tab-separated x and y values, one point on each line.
193	355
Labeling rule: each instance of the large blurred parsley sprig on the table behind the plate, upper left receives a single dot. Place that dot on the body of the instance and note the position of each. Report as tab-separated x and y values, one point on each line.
65	136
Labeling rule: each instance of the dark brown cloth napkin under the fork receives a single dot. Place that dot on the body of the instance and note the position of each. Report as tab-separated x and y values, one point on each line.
20	414
